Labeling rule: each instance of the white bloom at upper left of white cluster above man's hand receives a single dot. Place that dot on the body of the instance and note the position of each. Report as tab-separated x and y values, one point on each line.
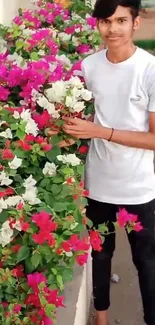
57	92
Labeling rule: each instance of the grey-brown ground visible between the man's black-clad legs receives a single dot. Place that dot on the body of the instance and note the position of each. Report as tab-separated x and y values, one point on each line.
126	308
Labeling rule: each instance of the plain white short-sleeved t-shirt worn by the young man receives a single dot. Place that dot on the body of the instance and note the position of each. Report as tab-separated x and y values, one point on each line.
124	95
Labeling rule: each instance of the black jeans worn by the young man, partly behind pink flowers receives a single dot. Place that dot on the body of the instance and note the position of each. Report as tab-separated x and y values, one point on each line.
143	253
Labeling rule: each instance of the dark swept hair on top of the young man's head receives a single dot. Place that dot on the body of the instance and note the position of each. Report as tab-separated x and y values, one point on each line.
106	8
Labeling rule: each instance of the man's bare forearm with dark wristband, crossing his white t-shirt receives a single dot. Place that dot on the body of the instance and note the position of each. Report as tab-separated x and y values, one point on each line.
135	139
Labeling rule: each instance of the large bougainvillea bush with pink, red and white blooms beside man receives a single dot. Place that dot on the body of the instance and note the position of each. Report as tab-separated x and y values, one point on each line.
42	195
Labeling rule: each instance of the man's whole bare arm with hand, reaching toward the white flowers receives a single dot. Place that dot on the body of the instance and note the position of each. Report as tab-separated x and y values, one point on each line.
86	129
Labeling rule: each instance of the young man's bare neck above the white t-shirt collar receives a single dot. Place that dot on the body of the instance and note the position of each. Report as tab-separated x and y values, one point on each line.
121	54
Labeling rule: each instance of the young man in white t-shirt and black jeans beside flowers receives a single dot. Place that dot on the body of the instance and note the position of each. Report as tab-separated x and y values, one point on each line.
119	168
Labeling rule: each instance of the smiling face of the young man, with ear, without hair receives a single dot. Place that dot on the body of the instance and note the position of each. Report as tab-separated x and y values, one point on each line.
118	29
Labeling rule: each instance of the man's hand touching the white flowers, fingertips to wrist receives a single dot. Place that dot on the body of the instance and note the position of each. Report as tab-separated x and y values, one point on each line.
81	129
